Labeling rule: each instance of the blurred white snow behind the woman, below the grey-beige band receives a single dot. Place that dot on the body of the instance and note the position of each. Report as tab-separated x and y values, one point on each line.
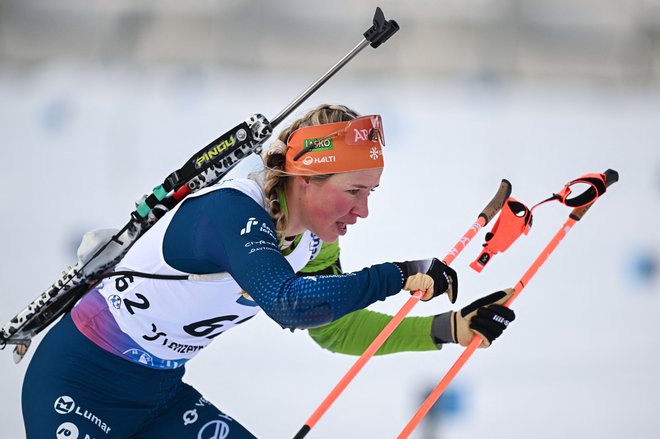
80	141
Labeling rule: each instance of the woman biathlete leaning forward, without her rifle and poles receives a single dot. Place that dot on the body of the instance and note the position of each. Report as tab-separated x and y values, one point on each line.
113	366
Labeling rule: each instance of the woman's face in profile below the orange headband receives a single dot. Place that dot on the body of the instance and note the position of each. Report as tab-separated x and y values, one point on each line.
329	206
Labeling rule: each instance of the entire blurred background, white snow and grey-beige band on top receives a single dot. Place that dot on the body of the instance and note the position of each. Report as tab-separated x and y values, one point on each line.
99	101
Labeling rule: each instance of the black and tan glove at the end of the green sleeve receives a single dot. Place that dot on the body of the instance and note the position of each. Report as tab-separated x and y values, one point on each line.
487	317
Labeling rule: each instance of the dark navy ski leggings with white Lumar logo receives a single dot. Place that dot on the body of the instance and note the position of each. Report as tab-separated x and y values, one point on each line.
73	389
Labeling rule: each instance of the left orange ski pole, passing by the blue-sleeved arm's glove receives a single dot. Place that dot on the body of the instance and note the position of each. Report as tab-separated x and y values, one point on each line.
491	209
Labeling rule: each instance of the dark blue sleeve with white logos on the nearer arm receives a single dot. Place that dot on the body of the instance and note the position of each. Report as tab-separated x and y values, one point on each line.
226	230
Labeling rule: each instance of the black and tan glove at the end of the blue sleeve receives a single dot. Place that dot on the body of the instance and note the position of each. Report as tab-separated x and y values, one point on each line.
431	276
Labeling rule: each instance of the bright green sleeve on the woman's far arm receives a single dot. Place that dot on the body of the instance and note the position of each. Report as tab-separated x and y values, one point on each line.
354	332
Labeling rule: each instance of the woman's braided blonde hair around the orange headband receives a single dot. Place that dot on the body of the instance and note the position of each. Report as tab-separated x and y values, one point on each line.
275	178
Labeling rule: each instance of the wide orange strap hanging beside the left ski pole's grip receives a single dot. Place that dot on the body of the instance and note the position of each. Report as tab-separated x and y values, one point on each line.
514	220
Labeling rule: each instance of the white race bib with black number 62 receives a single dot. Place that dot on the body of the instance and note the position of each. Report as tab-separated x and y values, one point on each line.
174	319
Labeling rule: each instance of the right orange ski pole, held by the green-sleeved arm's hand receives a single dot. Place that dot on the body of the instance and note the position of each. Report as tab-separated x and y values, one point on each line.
576	215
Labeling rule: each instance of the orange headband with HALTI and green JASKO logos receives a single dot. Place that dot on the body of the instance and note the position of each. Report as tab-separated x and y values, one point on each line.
331	148
